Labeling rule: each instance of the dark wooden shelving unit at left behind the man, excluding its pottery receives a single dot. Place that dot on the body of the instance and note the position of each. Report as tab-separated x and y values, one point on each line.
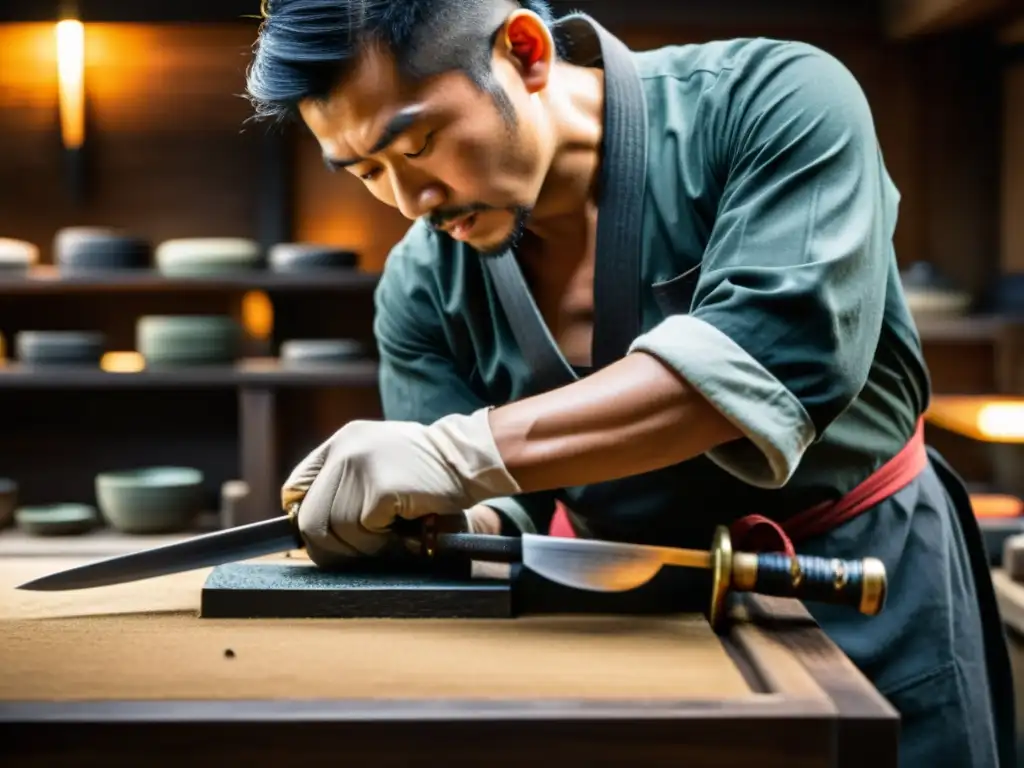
248	421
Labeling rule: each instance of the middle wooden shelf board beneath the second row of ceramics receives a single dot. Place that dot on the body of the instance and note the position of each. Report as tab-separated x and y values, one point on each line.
261	372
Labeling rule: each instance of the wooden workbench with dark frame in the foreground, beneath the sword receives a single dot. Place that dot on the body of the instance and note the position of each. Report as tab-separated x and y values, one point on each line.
130	675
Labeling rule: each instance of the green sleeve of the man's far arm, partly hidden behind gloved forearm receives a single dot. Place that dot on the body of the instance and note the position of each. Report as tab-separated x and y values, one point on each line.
420	380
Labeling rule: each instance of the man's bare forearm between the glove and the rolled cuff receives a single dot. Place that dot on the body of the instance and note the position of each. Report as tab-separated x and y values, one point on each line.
633	417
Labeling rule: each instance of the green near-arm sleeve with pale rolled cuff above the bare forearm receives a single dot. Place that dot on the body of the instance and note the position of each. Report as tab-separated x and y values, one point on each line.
789	306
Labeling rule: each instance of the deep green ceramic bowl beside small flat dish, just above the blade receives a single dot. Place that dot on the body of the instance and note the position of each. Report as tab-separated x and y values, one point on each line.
152	500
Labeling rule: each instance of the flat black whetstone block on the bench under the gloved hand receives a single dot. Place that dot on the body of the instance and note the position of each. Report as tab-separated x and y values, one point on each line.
301	591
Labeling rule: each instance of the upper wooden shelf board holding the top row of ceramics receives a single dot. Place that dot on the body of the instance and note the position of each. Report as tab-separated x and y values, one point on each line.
47	280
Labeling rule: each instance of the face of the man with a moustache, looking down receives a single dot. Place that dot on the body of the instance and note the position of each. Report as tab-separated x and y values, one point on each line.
441	149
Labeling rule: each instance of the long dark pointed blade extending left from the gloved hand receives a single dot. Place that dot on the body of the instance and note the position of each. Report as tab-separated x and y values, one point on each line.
232	545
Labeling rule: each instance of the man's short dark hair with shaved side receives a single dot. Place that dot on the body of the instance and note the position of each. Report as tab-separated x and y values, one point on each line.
307	48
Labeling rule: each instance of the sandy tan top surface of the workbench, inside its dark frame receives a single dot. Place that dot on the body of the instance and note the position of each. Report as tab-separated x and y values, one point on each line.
146	642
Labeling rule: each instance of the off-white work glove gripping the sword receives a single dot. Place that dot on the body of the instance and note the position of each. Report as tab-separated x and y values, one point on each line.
351	490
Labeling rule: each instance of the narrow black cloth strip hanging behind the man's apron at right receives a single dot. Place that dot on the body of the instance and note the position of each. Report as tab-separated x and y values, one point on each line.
997	654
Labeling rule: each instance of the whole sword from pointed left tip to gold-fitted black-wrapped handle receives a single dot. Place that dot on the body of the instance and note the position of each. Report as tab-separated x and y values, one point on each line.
586	565
